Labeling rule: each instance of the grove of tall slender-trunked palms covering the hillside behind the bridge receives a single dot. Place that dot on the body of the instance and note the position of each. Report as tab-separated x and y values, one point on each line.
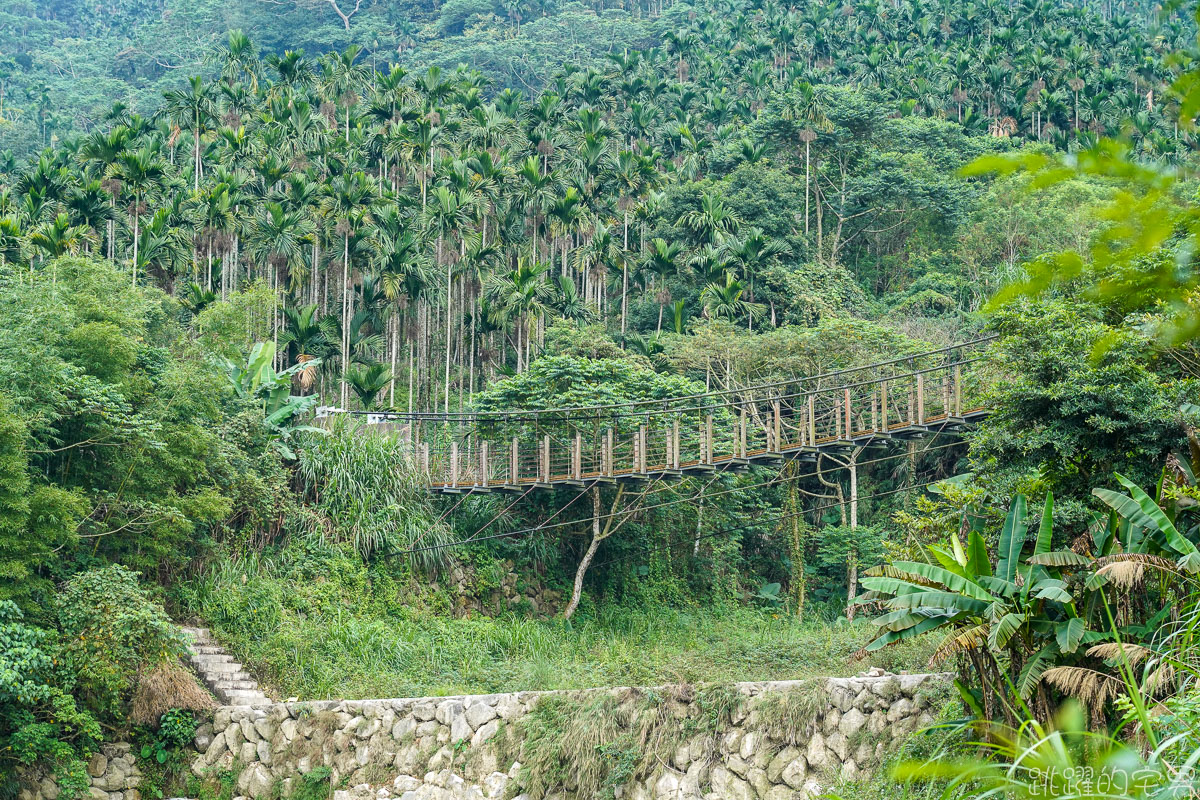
421	230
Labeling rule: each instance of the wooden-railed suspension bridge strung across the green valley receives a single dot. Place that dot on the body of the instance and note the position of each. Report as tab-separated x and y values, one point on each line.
910	398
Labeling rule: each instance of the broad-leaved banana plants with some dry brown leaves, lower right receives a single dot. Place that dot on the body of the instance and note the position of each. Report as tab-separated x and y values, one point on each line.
1034	617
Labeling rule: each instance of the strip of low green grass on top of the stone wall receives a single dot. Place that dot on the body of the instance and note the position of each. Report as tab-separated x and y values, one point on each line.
349	636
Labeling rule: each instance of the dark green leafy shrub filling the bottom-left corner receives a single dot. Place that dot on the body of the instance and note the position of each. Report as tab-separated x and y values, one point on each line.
40	721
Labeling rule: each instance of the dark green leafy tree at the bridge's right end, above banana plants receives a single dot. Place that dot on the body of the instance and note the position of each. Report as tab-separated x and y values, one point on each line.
1066	420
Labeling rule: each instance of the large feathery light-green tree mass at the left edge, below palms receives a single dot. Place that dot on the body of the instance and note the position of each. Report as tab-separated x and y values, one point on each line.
142	465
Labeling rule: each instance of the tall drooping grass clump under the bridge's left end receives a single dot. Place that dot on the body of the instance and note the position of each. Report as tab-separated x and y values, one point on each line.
367	491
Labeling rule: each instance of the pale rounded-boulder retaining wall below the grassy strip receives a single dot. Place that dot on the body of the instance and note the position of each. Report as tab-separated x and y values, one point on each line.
460	748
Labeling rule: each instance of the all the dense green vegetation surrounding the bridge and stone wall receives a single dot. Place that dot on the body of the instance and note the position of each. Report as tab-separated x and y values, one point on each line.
218	218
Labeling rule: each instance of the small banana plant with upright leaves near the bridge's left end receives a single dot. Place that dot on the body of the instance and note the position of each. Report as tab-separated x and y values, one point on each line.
257	381
